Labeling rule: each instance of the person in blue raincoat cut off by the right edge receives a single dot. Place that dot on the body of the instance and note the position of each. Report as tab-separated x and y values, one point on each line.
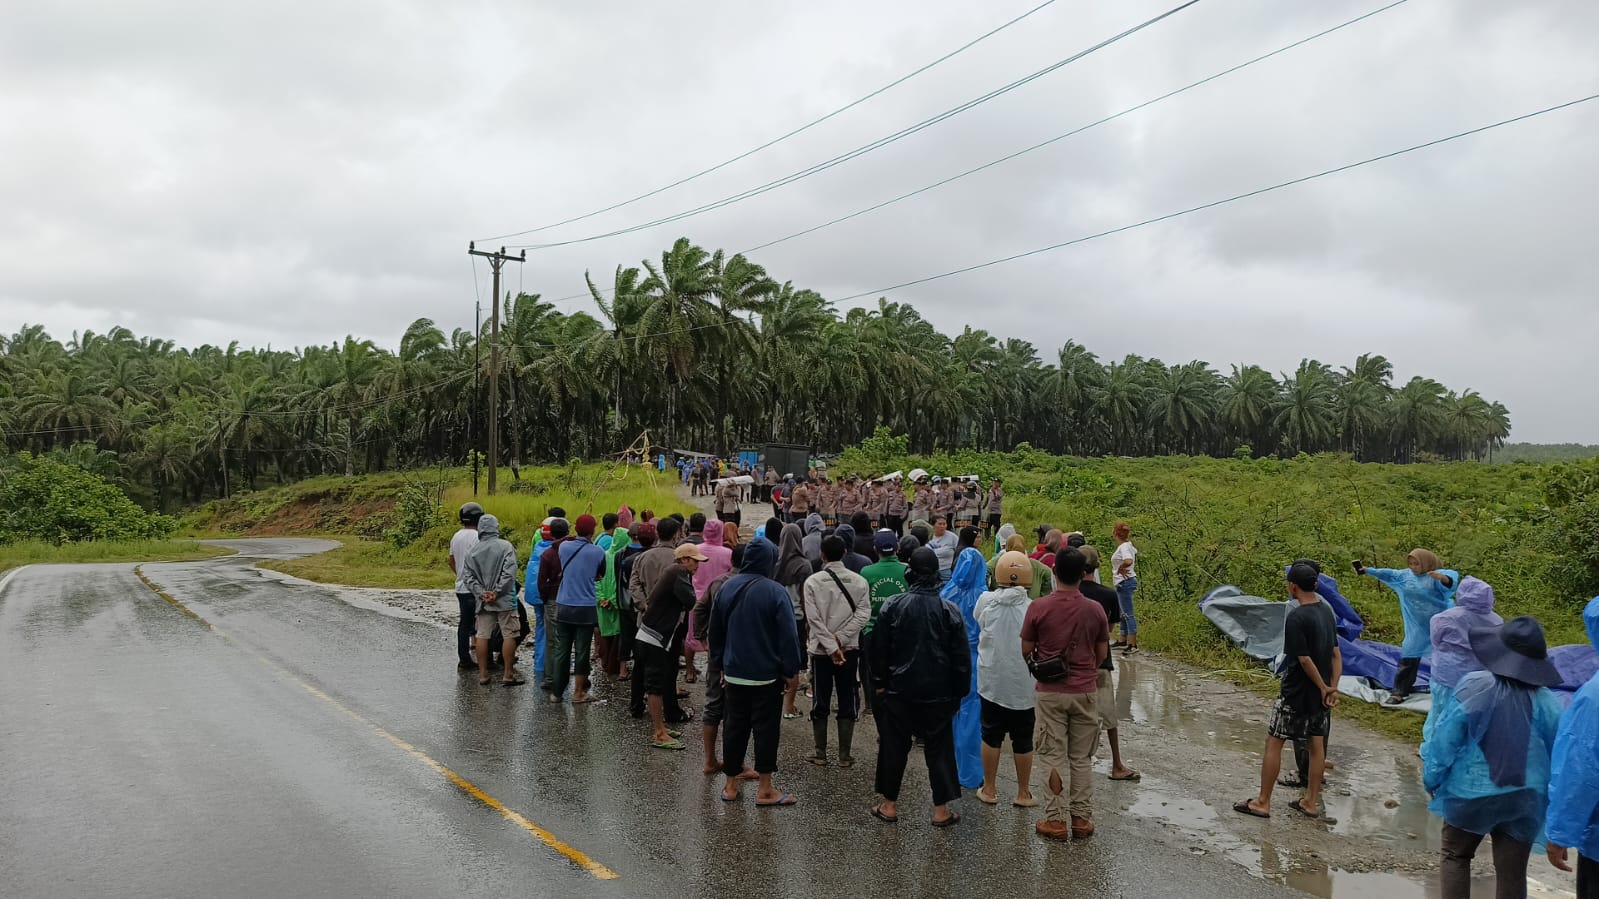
1574	780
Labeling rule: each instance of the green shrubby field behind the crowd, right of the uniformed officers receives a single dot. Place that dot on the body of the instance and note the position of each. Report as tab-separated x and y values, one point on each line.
1208	522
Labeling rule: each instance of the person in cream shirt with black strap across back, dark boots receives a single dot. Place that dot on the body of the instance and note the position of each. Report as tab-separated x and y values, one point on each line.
837	607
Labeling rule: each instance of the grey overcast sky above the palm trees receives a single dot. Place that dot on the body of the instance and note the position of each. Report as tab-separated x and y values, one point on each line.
289	174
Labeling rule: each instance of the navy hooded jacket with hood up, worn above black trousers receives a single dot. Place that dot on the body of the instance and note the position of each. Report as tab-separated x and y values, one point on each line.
754	634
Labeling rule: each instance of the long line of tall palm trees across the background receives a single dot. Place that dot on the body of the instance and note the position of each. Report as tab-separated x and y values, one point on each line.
701	350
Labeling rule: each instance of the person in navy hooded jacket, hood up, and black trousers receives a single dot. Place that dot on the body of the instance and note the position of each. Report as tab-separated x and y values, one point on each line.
757	647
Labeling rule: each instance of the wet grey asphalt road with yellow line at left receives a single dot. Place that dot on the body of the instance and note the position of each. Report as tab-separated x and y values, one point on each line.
148	754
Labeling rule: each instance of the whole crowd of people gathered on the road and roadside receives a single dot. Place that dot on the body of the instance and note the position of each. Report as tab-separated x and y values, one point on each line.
963	639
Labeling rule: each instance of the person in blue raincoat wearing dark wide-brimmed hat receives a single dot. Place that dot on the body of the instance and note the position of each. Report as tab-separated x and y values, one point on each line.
1488	764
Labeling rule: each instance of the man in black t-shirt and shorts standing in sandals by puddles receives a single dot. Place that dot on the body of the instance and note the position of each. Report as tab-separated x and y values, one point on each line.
1304	709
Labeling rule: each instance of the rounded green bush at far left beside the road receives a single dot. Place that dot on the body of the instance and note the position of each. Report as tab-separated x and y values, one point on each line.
46	500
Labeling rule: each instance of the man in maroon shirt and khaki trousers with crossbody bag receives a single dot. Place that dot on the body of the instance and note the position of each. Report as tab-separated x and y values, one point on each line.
1072	631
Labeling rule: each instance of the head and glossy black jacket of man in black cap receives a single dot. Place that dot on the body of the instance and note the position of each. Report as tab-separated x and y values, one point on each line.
919	645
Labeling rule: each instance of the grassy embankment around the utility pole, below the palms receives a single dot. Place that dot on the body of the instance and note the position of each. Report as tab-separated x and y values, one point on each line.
362	509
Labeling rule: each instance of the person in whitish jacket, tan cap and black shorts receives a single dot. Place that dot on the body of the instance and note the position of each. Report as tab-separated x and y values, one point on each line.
1005	687
